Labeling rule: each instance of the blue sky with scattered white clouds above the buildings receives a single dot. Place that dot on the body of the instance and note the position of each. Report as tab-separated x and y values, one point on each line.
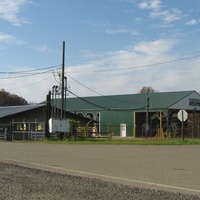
111	46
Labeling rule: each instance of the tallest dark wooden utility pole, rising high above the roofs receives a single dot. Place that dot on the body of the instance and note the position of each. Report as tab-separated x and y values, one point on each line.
62	84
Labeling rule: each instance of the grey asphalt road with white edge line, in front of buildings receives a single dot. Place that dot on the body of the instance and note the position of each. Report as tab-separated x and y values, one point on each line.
169	168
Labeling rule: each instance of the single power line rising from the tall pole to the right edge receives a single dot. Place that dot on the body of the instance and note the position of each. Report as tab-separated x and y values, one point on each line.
139	66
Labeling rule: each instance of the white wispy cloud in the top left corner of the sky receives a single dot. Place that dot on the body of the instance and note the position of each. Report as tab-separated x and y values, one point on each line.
10	10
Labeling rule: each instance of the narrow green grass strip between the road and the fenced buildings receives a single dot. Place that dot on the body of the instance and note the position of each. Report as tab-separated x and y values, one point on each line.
148	141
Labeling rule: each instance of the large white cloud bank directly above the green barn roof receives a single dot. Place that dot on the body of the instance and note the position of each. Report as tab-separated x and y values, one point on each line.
127	71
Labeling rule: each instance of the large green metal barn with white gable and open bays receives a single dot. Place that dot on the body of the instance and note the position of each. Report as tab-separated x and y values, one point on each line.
134	115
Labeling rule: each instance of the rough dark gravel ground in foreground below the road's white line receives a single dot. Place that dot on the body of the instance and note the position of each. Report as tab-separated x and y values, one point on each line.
18	182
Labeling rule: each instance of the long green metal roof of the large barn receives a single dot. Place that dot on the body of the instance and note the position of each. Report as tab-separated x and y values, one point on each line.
160	100
